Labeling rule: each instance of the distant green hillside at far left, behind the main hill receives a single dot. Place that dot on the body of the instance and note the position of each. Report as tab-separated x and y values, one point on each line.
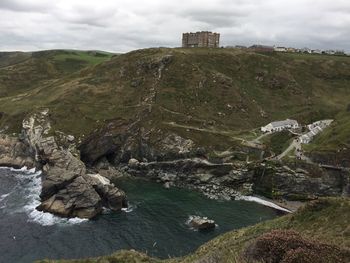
23	80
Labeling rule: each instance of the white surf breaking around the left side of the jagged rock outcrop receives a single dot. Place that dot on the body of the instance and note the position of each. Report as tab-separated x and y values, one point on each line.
30	183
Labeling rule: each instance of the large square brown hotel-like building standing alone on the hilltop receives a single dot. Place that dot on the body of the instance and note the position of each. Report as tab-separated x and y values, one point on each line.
201	39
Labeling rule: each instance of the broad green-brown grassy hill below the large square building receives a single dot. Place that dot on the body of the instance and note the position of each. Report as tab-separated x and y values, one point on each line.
211	96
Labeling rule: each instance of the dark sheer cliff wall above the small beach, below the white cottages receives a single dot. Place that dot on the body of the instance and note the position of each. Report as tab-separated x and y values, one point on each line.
300	181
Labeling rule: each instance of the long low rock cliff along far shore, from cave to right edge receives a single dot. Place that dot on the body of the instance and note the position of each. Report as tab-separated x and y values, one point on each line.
229	180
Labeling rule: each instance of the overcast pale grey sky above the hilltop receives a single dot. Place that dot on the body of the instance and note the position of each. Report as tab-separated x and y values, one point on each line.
124	25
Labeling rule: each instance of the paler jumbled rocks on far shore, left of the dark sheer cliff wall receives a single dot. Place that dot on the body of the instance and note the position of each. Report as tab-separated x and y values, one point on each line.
215	180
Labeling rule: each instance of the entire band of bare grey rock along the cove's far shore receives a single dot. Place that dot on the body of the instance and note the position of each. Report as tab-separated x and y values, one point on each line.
80	188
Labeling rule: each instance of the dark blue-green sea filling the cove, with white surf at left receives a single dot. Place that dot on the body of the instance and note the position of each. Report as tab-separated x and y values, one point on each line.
155	222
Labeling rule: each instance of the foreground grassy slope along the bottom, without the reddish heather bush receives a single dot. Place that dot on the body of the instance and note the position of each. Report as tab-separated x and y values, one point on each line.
326	220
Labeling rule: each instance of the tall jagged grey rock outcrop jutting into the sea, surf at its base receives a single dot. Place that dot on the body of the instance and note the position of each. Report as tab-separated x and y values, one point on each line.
66	188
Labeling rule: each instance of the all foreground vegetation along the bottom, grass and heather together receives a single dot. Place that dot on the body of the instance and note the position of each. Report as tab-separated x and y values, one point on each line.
323	223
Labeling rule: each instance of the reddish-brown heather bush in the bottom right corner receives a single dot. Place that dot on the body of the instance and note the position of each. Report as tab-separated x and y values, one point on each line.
285	246
